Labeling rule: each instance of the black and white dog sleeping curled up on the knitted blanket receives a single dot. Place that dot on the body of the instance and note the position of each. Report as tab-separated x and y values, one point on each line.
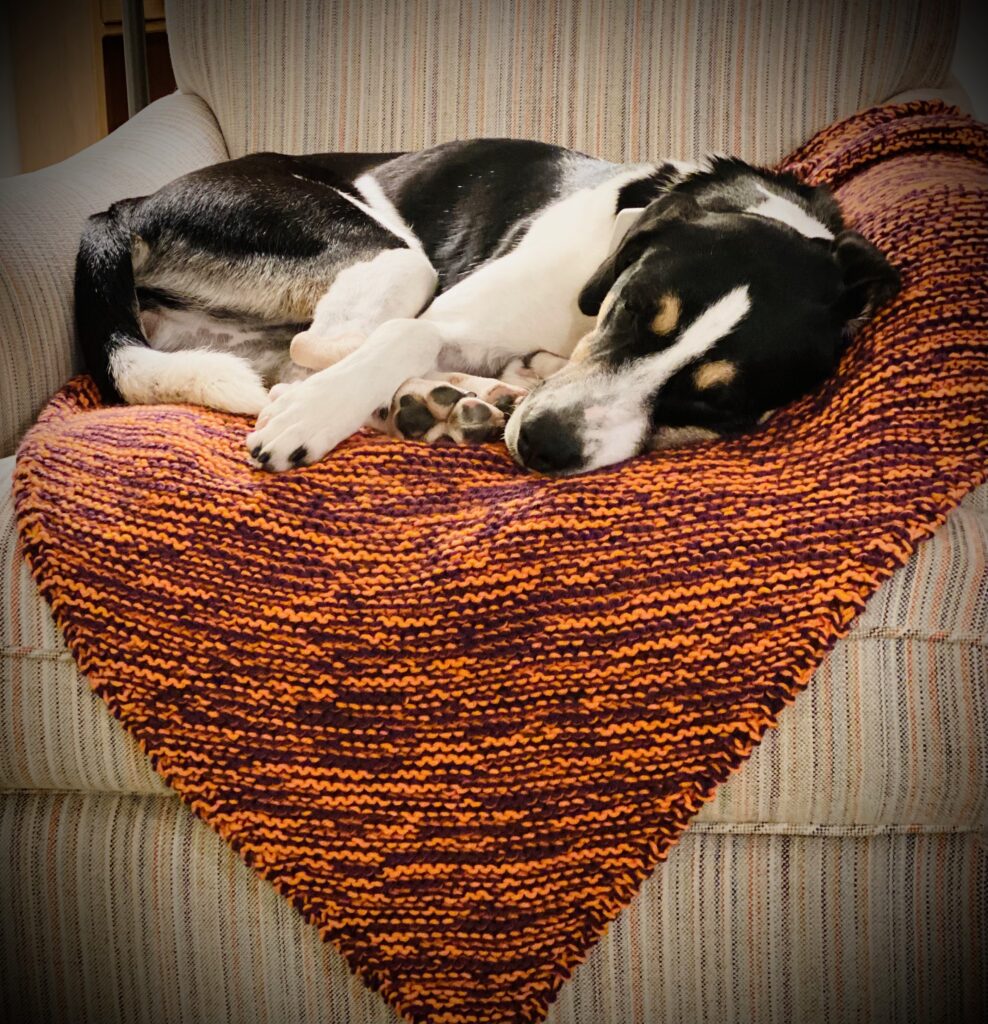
626	307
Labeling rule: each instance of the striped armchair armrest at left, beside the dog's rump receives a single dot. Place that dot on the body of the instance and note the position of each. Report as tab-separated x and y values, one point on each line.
41	220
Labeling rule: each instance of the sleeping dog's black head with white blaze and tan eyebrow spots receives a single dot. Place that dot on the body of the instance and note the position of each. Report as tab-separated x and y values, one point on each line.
734	293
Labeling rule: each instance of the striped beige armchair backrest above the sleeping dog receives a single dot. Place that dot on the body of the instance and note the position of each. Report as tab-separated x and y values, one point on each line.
622	79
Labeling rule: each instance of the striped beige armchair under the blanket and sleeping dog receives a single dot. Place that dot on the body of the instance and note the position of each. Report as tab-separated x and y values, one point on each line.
840	876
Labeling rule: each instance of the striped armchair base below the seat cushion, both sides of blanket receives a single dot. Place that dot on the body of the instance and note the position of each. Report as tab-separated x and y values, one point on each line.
137	914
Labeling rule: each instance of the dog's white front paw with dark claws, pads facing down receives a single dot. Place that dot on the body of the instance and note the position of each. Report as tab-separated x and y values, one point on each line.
300	425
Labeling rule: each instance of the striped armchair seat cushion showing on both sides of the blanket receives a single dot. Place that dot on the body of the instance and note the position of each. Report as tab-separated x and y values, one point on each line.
893	731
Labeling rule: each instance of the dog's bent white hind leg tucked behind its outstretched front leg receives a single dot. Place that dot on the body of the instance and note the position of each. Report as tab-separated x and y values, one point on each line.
397	284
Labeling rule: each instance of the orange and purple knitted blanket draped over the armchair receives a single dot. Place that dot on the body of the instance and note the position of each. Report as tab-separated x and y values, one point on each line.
457	713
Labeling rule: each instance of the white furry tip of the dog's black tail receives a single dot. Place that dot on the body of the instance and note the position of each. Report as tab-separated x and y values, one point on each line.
219	380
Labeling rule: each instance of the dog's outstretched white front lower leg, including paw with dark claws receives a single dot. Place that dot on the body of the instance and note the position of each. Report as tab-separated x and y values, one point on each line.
311	418
